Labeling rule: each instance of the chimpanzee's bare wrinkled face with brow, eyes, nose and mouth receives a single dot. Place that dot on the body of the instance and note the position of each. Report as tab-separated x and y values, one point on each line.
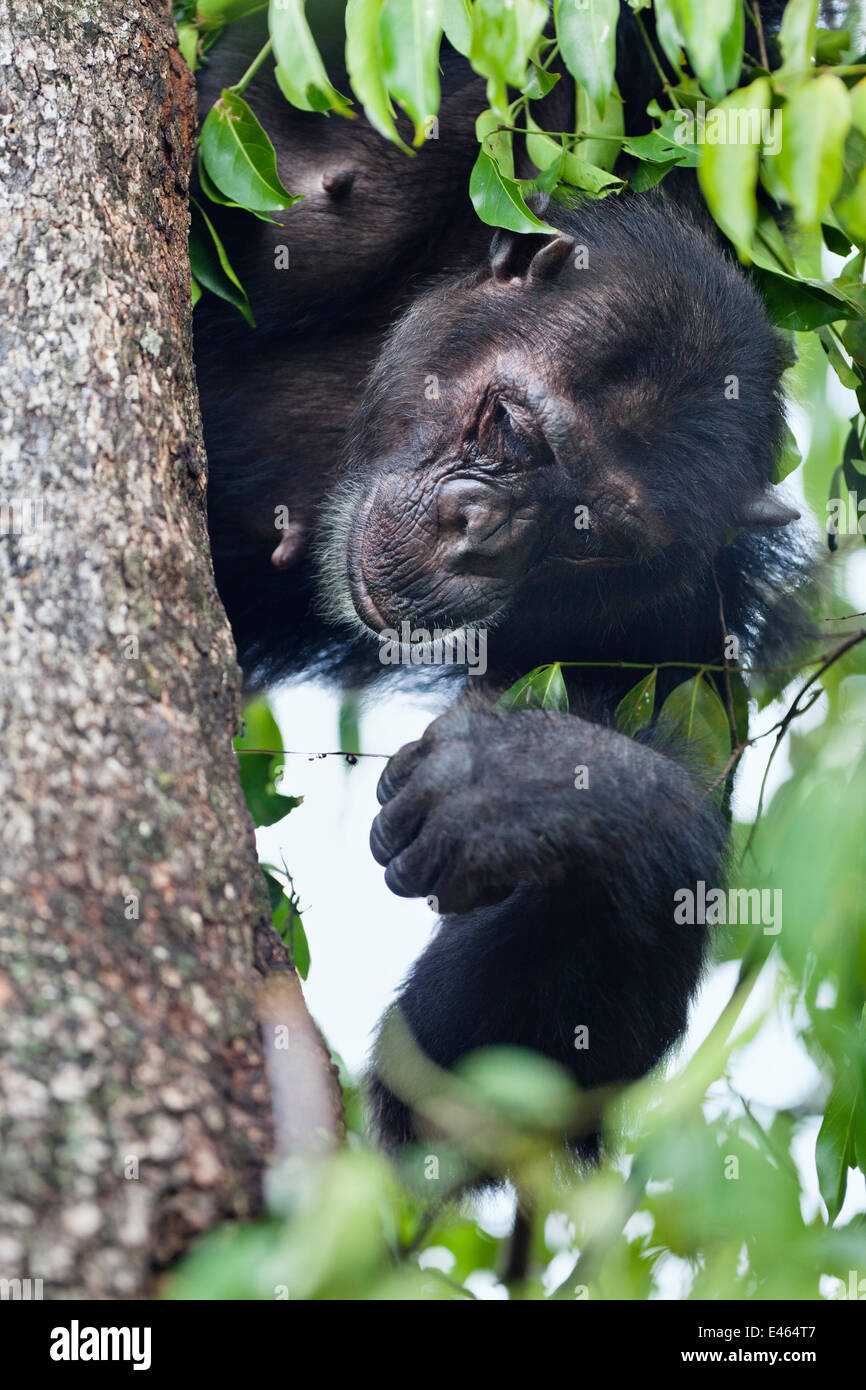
473	500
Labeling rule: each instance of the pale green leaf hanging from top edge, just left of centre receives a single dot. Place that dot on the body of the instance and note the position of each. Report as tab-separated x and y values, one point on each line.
411	33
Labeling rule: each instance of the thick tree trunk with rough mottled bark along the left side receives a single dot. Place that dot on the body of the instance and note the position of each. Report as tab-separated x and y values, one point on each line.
134	1100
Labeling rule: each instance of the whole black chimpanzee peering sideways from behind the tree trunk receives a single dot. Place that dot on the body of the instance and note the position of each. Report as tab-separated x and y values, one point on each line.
436	412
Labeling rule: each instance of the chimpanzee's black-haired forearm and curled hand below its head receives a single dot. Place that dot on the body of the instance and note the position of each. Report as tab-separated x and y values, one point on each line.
489	801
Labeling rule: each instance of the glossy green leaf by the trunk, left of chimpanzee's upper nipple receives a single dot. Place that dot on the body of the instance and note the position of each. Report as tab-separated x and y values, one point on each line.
241	159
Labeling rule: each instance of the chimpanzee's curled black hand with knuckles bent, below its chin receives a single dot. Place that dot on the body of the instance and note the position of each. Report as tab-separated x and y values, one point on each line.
480	804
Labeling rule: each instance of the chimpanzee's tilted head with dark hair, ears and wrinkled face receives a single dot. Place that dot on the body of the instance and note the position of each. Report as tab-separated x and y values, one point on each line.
600	407
